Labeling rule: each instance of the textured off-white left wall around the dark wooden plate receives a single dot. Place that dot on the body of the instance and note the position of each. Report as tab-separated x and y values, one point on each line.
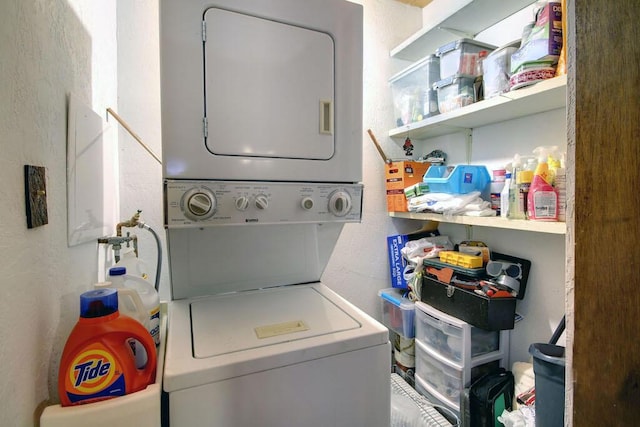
48	49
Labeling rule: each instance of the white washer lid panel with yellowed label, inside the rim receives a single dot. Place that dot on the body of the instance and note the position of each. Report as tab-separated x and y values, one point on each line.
230	323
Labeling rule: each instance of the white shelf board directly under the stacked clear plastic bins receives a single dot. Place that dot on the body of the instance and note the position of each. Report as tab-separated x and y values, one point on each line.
543	96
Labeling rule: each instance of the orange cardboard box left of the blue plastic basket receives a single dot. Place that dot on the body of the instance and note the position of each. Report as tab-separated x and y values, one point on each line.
400	175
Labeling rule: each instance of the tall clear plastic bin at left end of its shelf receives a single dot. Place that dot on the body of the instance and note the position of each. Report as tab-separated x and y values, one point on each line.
414	97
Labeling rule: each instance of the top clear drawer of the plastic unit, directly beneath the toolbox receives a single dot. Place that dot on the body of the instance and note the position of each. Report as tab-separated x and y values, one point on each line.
447	336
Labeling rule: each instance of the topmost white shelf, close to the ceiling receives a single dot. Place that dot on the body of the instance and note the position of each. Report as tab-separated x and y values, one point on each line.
447	20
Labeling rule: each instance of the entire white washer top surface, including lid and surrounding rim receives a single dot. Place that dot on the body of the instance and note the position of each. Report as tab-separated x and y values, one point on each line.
226	324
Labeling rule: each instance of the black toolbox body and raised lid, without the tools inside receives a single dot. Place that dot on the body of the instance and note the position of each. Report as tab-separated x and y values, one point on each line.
484	312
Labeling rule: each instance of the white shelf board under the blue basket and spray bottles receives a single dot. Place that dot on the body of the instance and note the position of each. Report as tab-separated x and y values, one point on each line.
494	222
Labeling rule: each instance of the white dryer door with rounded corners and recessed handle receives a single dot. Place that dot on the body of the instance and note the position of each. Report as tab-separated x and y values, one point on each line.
259	105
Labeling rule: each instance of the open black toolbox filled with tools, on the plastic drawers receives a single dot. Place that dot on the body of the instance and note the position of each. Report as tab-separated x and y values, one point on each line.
483	297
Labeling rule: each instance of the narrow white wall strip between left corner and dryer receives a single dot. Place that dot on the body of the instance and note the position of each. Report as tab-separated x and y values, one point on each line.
139	106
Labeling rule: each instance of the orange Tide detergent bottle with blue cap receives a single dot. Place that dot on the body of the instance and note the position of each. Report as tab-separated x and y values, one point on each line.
97	361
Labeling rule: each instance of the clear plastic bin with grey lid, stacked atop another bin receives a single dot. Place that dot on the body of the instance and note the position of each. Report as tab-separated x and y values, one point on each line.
461	57
